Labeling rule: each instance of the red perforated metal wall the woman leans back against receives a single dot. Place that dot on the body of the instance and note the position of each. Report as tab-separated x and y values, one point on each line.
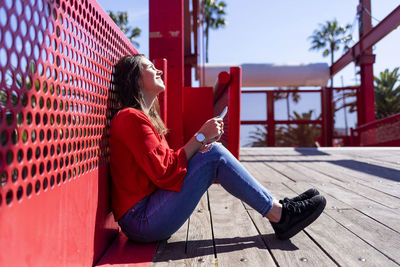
56	63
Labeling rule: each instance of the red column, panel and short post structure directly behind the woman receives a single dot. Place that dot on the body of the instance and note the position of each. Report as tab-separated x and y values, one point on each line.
189	107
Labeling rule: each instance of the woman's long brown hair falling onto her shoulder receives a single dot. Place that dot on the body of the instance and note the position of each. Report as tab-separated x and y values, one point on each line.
127	76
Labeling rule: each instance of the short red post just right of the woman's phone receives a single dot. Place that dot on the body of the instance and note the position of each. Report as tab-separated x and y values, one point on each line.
234	111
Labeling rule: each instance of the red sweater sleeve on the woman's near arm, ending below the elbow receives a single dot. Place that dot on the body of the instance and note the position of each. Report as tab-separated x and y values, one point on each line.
165	167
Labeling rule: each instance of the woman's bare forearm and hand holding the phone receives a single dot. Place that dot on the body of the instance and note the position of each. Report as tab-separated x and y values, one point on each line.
212	130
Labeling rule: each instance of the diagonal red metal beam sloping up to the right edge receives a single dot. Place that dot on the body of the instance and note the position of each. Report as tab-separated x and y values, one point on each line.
388	24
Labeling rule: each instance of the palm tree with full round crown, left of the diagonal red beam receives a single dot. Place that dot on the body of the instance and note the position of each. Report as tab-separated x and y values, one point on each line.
330	37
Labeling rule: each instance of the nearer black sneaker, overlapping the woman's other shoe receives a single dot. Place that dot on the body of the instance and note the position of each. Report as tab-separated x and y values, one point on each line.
298	215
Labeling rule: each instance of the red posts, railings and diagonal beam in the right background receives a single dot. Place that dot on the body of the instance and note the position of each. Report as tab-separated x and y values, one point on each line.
368	132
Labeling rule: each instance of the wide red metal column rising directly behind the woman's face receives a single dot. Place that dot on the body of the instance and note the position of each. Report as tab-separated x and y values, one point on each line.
166	41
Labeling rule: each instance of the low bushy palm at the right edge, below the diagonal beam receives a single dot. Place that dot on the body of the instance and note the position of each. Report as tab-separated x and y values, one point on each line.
387	97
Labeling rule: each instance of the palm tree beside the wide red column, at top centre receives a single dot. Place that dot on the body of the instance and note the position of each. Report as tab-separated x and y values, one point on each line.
213	17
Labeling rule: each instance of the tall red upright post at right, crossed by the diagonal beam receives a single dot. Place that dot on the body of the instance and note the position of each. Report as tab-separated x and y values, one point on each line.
366	61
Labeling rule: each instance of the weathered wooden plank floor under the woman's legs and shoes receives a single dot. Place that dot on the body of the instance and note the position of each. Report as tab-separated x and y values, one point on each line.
359	227
